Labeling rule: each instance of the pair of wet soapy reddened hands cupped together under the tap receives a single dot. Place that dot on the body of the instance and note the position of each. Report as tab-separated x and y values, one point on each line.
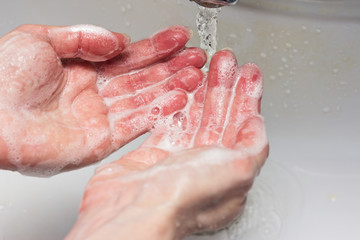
69	96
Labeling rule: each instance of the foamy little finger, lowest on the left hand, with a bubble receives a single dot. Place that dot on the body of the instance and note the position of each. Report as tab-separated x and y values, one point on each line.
130	124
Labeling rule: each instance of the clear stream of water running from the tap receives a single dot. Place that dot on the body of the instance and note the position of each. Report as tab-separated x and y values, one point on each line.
206	22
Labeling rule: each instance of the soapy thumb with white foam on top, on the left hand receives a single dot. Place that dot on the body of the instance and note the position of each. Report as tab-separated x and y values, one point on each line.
89	42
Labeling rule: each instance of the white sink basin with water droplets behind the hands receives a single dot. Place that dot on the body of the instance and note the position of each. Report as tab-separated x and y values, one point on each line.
309	188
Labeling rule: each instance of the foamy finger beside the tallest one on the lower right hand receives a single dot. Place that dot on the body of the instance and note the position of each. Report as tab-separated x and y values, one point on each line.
245	103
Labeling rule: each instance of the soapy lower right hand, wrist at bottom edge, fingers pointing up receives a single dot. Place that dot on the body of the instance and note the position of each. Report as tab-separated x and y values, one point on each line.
194	171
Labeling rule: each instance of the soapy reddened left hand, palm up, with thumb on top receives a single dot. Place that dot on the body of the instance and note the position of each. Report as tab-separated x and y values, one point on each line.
63	106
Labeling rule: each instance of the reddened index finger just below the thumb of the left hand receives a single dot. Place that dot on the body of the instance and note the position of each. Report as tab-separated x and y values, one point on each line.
146	52
